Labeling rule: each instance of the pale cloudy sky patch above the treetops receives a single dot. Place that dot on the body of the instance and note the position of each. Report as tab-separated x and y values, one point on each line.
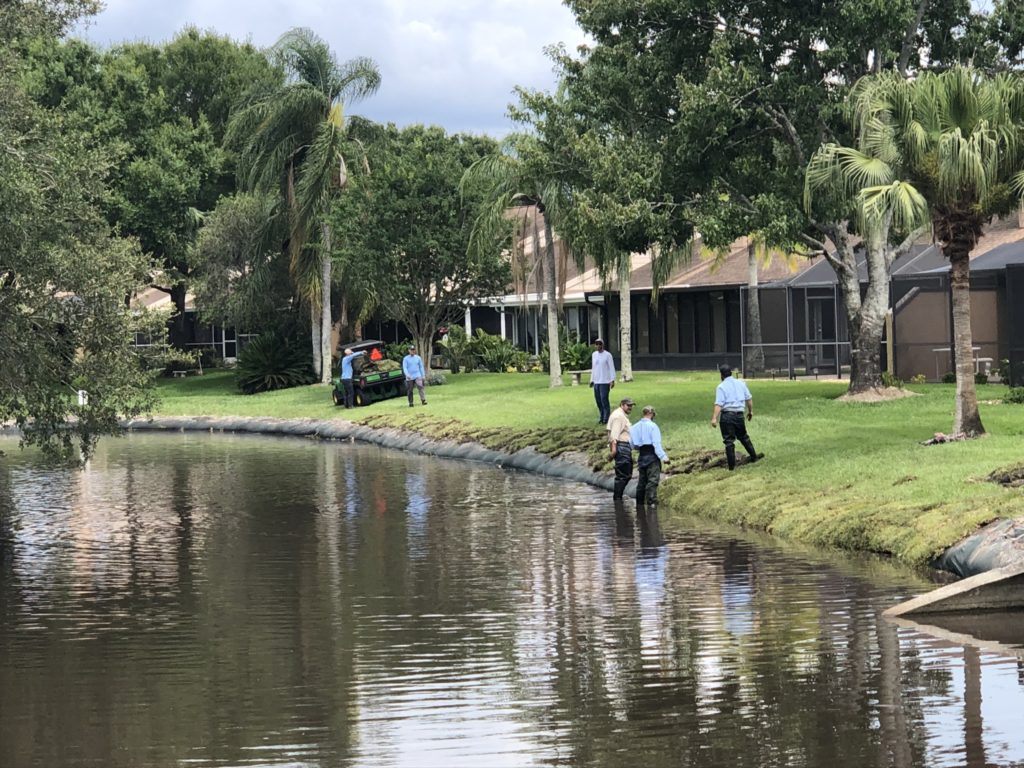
449	63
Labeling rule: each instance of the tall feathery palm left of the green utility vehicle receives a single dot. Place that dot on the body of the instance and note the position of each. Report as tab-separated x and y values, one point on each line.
293	137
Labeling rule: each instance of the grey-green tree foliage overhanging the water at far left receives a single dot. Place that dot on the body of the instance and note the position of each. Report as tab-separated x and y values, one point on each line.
65	280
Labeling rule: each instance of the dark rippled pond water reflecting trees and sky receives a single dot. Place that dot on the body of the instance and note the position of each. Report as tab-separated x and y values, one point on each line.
217	601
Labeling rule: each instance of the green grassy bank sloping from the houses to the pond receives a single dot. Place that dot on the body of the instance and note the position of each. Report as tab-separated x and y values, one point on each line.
841	475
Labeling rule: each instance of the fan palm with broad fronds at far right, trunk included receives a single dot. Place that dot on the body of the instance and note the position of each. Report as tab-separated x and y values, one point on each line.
946	149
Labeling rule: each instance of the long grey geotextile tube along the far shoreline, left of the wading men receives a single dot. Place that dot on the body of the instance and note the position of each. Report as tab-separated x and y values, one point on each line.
529	461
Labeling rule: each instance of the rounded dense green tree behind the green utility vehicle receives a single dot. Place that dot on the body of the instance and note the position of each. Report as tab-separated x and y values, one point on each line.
405	229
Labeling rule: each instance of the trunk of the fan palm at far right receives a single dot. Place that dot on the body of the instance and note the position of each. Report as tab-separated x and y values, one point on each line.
967	419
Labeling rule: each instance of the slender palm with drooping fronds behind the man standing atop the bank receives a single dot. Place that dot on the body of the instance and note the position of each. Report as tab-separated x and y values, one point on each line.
515	180
